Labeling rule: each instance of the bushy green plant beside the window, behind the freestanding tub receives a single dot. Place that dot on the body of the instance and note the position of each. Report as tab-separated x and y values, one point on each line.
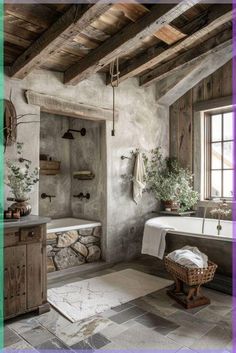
170	183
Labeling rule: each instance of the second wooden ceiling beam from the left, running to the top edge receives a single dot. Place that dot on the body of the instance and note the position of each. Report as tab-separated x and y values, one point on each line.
126	39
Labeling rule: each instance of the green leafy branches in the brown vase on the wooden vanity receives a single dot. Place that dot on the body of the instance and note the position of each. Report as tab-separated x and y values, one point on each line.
19	176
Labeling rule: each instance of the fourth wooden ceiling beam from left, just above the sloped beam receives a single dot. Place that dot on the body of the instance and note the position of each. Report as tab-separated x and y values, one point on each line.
210	46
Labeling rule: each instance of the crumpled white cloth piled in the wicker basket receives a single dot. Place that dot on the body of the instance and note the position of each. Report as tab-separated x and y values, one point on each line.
190	257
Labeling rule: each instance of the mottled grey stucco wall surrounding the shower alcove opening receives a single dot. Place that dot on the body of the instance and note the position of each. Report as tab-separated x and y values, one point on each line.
142	124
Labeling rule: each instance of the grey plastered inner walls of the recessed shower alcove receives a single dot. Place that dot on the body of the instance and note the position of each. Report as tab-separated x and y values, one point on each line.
81	153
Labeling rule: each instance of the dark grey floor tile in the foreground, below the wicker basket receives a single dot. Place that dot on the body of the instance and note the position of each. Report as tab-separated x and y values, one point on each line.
161	324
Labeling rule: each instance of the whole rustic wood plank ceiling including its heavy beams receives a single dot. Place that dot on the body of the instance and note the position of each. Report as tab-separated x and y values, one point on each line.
151	41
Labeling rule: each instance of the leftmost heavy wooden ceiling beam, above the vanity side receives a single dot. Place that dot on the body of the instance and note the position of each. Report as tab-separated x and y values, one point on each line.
70	24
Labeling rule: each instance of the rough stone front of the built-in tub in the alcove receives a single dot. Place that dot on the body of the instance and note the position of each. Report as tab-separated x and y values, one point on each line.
73	248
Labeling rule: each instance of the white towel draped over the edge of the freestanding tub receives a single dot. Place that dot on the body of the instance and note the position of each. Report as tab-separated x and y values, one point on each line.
154	238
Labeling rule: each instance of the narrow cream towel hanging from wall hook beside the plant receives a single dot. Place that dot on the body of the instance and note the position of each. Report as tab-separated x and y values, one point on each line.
138	178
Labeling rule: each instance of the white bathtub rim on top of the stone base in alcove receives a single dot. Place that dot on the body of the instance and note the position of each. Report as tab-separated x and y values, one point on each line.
66	224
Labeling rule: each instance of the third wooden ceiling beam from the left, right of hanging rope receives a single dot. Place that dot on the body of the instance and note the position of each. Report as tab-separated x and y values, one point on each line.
216	16
